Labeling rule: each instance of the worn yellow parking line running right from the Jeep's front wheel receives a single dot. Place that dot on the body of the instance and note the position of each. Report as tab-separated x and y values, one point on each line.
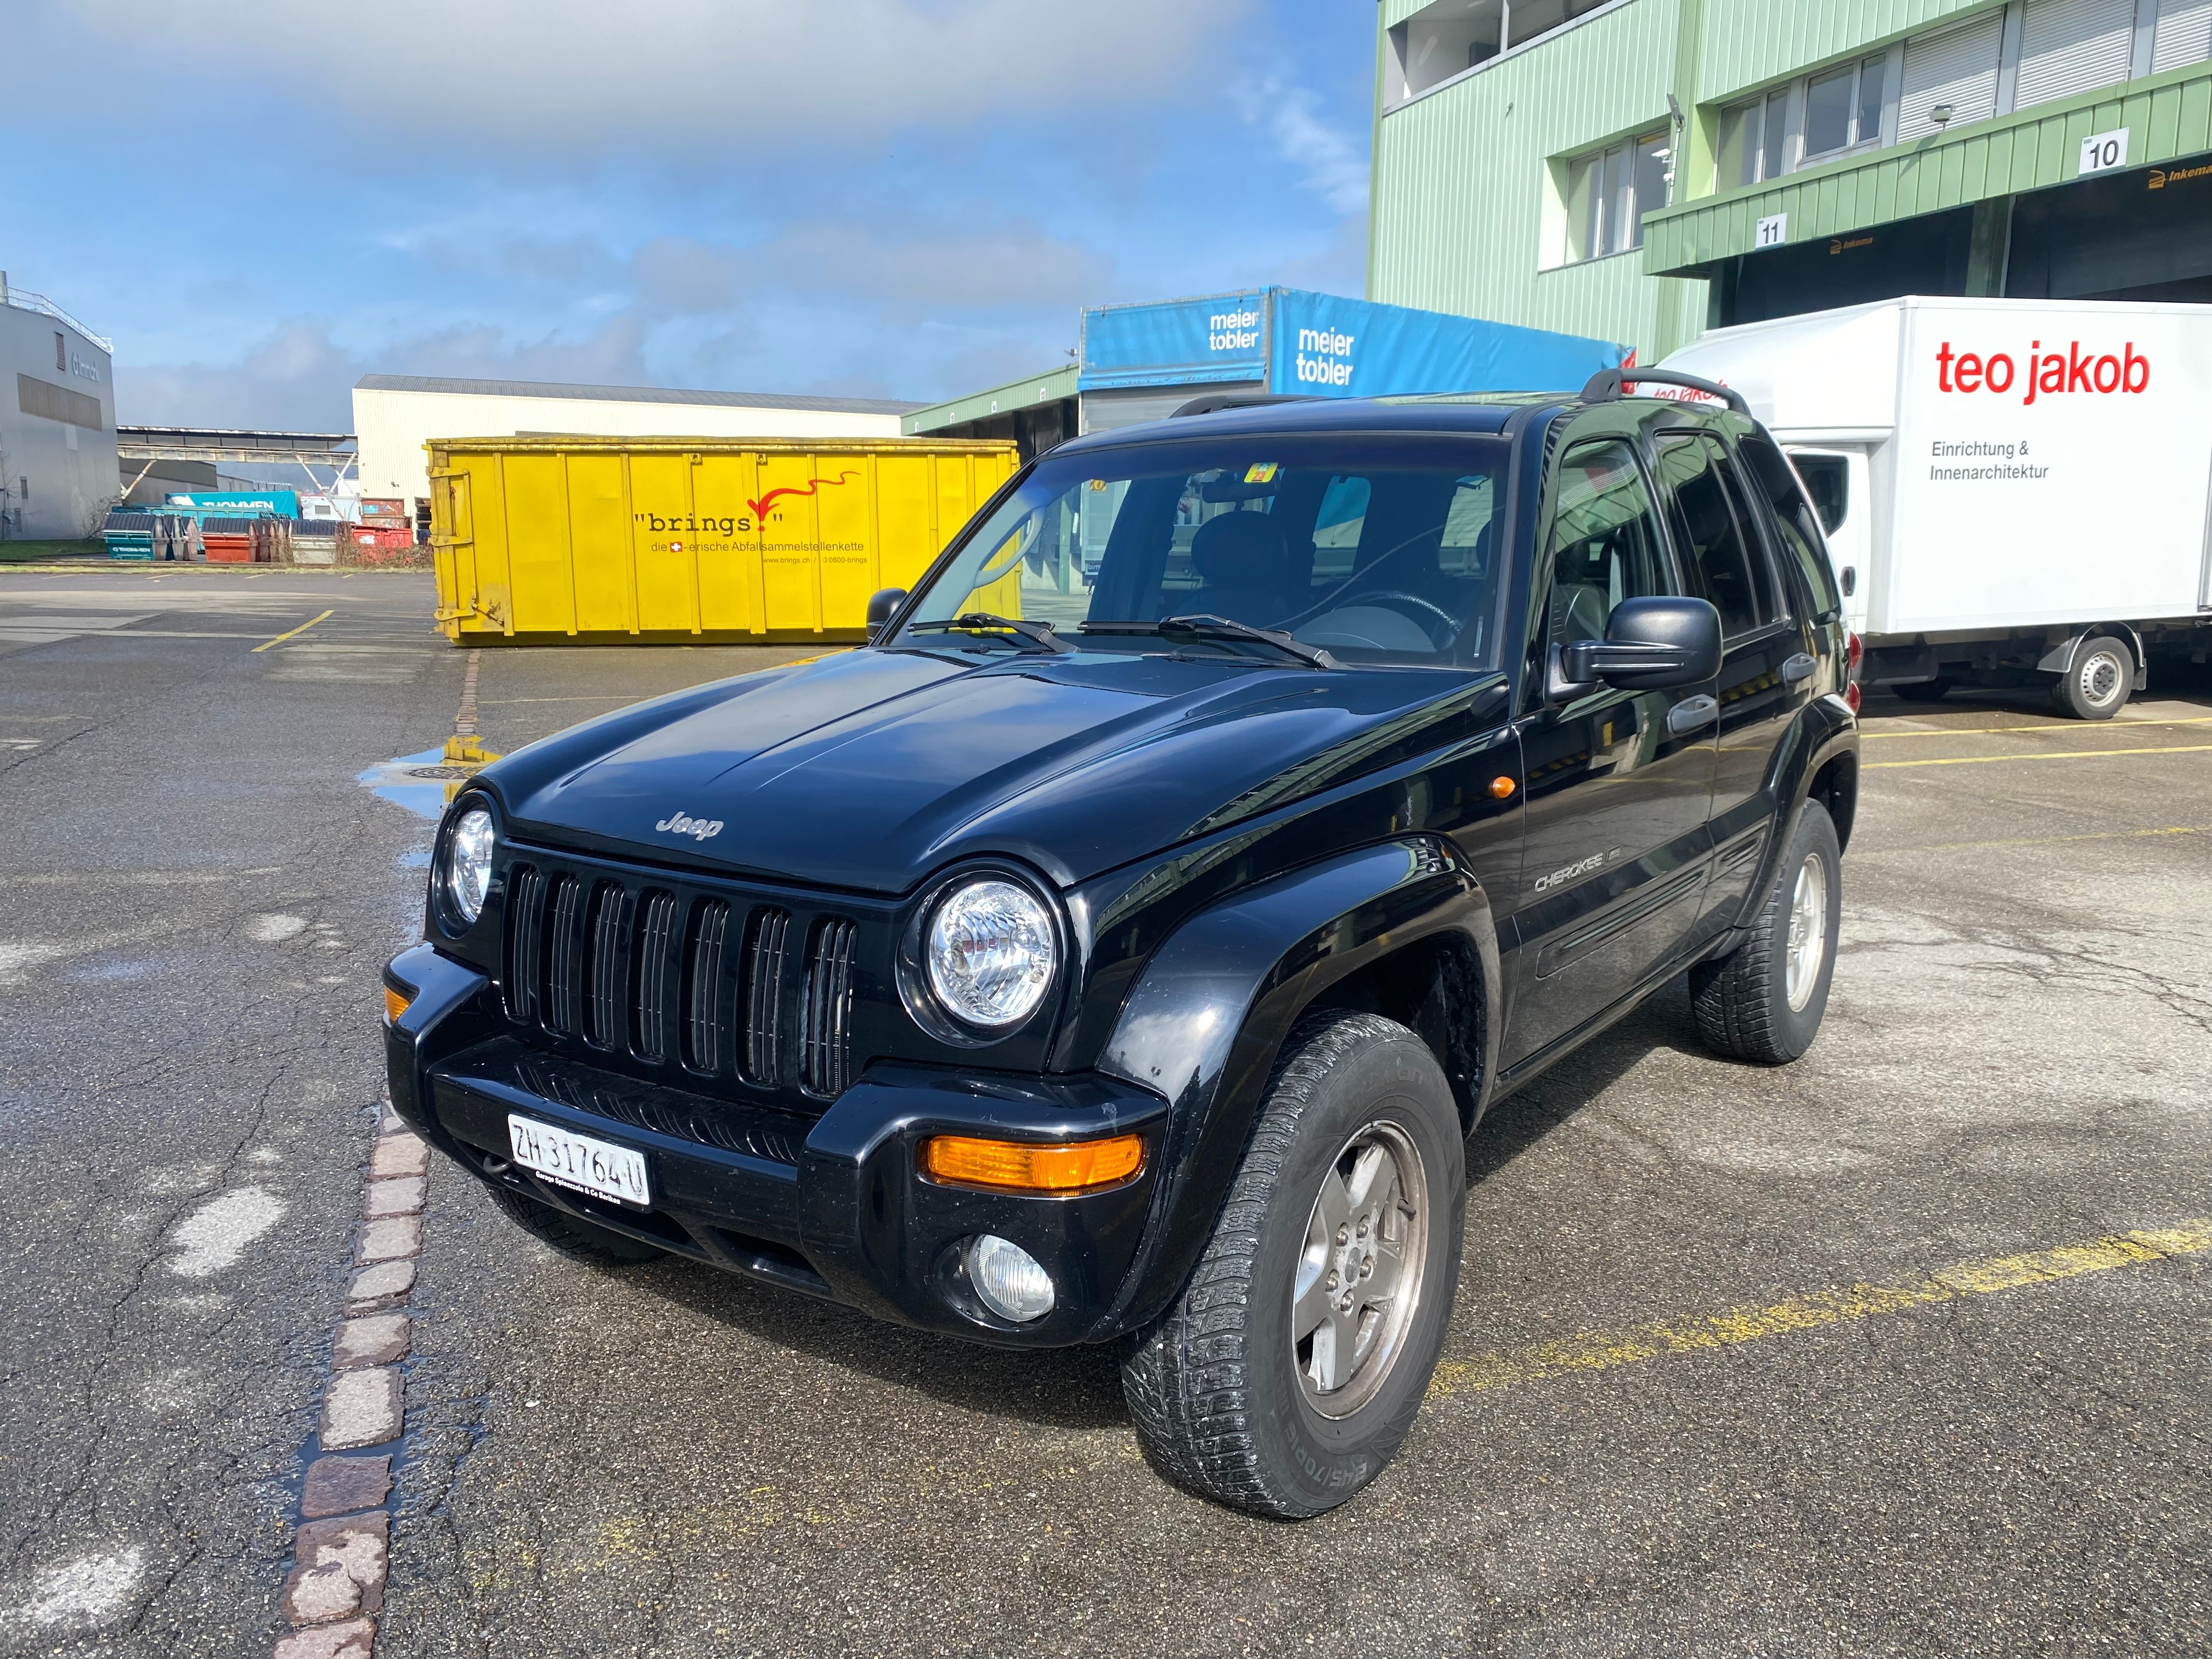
1822	1311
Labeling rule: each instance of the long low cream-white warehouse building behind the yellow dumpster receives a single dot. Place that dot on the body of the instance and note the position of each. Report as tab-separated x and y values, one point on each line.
395	415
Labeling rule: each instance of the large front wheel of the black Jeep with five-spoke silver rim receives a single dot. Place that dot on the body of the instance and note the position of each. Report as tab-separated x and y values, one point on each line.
1295	1361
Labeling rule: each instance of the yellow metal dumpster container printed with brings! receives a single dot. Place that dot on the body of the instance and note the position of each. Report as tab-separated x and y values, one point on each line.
603	541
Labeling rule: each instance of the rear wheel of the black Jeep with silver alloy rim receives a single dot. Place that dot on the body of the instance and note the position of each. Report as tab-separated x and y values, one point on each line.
1764	1001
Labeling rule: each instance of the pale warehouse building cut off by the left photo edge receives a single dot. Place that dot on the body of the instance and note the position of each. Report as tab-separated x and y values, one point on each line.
56	421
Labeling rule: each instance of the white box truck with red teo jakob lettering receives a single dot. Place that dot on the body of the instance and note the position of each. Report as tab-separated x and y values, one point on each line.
2016	492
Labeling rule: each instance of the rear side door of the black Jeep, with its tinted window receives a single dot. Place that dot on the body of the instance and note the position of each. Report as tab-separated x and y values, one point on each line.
1768	665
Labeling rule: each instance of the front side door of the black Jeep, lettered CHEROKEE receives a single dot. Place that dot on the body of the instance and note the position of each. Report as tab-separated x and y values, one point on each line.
1618	782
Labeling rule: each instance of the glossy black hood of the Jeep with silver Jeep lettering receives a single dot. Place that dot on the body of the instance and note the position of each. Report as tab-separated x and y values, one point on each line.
873	769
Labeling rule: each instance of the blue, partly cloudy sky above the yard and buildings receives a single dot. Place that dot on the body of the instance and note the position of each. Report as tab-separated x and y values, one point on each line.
260	200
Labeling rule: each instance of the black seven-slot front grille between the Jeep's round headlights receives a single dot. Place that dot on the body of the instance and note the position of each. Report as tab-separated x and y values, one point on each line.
682	983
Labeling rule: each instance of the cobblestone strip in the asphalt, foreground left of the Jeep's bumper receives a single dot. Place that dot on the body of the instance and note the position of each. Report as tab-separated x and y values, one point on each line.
337	1580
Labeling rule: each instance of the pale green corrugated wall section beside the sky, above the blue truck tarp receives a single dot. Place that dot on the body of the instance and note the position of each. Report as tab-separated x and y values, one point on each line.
1463	187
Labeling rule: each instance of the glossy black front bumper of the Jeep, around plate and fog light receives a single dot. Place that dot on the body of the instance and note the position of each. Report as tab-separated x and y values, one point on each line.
833	1207
